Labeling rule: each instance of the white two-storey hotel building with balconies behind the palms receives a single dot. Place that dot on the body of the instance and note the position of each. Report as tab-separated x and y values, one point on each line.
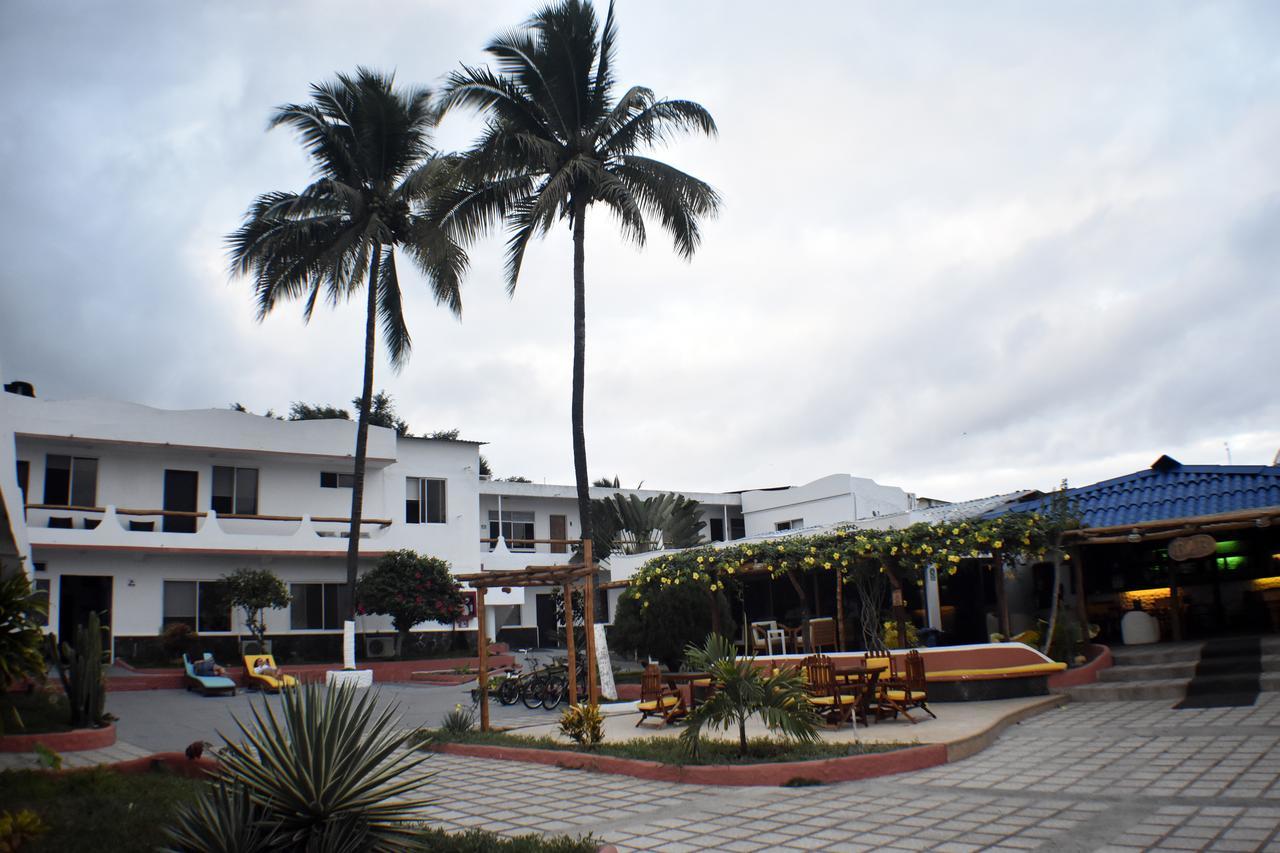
135	513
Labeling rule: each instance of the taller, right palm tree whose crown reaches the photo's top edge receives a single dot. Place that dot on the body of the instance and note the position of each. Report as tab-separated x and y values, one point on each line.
557	142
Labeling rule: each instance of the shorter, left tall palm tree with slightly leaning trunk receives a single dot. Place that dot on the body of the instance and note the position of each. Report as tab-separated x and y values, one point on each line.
376	176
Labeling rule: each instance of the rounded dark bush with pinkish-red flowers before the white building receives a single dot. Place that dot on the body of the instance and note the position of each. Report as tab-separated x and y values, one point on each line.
412	590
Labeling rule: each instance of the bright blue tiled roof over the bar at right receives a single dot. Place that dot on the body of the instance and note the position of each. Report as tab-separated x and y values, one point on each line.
1168	490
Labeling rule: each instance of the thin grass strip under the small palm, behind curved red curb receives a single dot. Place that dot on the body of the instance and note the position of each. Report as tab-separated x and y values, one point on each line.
668	751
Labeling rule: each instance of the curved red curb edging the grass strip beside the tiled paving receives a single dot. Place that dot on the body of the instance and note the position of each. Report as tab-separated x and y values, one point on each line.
828	770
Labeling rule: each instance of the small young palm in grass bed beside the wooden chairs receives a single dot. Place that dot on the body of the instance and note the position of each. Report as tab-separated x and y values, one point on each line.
743	690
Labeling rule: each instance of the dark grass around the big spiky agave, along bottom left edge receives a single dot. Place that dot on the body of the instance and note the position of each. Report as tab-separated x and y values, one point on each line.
103	810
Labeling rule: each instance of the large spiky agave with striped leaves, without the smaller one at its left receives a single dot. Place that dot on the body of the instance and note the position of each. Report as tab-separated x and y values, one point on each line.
330	763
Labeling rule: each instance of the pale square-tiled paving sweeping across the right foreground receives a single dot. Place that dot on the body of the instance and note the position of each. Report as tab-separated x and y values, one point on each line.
1105	777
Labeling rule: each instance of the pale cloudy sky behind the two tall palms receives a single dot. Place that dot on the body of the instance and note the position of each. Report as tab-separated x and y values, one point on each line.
964	249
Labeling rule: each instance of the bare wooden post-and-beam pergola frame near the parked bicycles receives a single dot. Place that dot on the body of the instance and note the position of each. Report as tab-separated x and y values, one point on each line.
568	578
